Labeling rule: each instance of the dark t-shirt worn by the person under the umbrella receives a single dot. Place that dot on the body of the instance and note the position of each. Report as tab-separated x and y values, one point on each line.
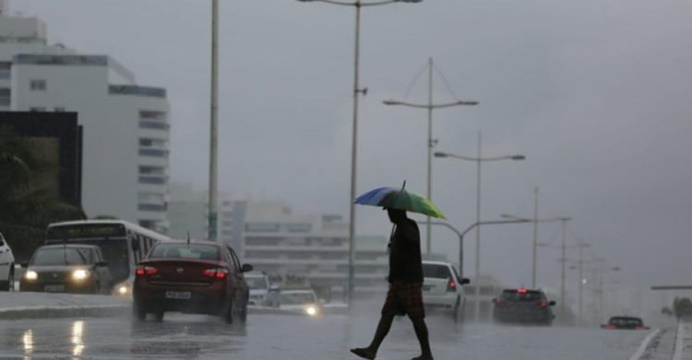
405	263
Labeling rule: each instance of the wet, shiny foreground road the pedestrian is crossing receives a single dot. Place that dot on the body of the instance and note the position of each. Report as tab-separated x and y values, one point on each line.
279	337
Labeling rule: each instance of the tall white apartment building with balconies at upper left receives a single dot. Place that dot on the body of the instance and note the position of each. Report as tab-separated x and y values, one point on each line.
126	126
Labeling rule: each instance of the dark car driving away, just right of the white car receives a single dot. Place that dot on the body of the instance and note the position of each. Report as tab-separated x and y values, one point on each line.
523	306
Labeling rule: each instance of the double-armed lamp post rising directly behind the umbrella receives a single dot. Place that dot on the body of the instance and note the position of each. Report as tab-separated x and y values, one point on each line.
430	106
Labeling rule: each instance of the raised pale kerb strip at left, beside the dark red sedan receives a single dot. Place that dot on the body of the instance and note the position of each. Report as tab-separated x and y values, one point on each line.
20	305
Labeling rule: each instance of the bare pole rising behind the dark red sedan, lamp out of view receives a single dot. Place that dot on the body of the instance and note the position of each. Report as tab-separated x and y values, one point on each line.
214	133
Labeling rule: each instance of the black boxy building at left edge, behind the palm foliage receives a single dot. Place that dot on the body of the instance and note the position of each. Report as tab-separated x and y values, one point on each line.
57	139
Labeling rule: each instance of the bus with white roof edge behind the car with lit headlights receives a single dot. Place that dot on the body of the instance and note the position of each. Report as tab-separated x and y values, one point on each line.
122	243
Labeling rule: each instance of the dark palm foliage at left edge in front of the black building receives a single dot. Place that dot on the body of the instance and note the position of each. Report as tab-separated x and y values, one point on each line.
28	200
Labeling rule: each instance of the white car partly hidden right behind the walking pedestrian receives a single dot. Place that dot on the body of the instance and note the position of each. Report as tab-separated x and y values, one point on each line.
443	288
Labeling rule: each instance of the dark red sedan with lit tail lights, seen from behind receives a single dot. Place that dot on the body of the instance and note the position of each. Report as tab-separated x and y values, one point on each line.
199	277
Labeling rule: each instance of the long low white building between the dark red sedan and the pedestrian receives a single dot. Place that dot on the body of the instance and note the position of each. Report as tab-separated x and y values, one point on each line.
312	247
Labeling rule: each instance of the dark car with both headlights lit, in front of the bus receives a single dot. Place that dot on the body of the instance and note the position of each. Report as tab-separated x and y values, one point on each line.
69	268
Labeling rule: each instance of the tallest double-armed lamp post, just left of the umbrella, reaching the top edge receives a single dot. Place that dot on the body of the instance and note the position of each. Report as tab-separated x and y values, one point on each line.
357	91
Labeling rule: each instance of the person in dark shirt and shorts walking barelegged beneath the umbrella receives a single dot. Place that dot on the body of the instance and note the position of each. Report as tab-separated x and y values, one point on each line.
405	295
